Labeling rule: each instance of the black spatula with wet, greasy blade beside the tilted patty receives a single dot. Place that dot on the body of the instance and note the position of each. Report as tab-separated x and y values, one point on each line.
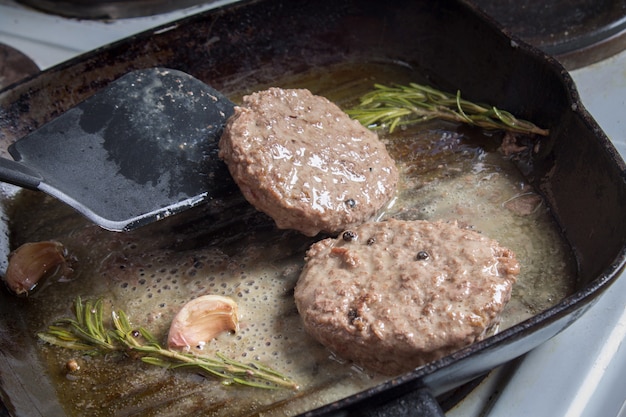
141	149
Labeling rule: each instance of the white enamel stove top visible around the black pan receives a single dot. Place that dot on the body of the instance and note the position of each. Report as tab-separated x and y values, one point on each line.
579	373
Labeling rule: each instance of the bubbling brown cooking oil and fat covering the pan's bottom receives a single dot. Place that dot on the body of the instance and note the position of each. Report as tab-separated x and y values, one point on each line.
447	173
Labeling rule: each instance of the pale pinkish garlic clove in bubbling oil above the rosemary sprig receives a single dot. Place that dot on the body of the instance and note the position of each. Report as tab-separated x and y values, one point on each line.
201	320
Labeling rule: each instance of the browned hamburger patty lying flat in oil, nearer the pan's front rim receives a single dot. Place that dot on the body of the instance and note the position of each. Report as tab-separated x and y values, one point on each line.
395	295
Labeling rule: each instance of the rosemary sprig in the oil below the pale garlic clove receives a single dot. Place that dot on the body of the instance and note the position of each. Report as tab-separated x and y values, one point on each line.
87	333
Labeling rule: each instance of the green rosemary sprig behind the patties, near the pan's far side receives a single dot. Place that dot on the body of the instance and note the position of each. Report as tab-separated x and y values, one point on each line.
392	107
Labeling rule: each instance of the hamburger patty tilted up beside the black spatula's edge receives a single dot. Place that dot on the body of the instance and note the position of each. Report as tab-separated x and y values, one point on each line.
300	159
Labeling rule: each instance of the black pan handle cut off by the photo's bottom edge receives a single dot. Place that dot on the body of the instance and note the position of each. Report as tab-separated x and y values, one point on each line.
418	403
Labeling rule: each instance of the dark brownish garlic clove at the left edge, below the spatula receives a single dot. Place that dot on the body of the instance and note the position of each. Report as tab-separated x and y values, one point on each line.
32	262
